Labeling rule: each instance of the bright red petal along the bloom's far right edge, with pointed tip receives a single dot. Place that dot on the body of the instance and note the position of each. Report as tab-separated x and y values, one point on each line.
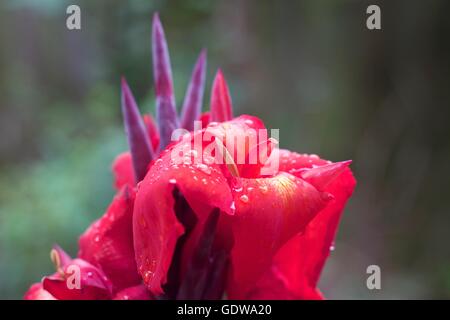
300	261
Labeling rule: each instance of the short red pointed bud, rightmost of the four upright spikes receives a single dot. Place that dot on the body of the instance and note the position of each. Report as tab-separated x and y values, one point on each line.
221	106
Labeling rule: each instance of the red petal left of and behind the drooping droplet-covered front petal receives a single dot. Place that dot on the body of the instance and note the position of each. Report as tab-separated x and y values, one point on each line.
108	242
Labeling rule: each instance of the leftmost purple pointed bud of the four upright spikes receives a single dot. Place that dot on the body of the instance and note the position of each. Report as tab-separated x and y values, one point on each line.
138	141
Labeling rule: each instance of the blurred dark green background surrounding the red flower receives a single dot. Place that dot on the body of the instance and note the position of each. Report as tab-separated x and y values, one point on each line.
310	68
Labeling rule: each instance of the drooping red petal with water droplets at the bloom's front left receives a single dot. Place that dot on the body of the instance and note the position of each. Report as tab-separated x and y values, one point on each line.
156	227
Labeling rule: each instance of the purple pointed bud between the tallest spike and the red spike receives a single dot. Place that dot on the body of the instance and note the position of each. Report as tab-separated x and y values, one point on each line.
194	96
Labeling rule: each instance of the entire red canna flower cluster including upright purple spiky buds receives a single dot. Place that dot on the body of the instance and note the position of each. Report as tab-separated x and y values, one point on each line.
199	229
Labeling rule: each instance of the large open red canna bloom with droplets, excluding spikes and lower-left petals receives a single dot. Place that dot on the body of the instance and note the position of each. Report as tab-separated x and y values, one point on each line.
259	216
